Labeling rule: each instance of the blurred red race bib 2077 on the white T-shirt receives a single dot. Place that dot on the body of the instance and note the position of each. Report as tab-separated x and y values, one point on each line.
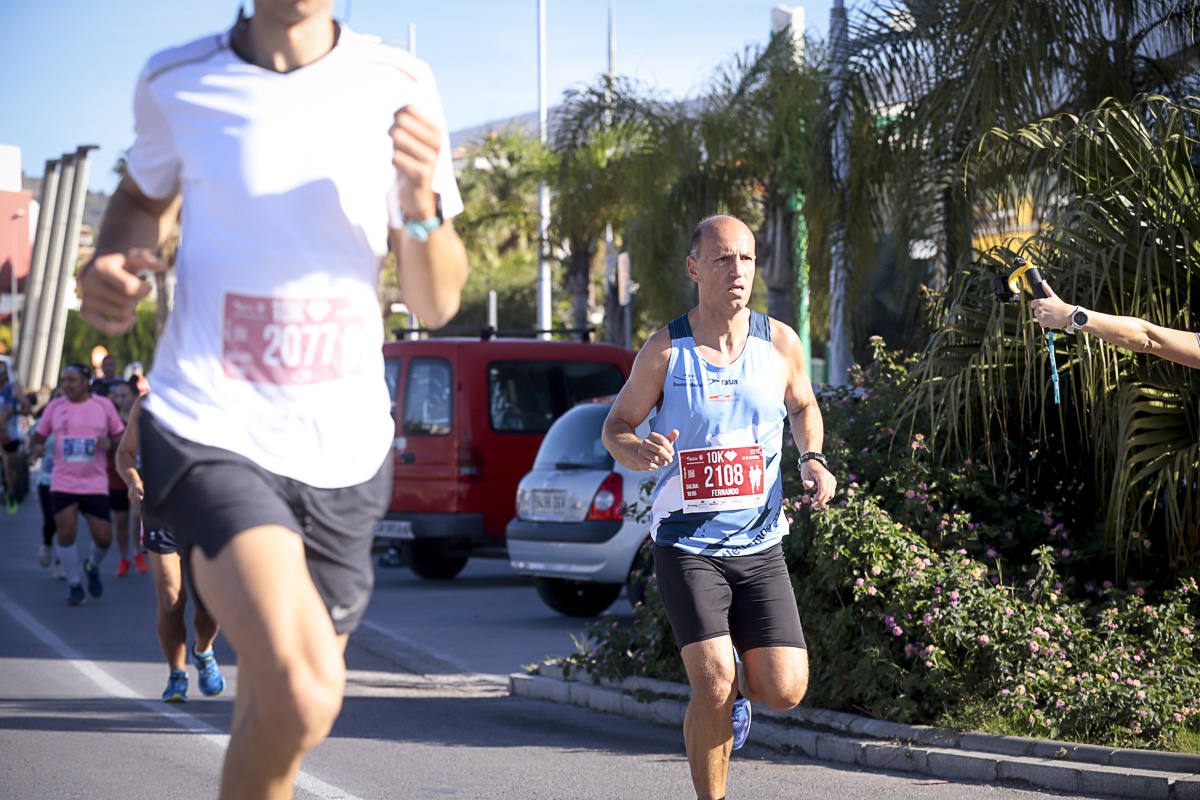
291	341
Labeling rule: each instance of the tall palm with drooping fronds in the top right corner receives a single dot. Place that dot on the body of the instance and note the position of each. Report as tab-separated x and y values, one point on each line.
928	77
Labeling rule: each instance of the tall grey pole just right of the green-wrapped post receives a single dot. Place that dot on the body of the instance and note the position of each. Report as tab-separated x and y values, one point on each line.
838	350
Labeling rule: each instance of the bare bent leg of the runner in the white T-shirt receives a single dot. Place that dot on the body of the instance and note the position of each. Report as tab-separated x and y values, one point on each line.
291	672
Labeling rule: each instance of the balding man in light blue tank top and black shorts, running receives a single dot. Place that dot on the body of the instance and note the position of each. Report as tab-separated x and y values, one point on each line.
725	378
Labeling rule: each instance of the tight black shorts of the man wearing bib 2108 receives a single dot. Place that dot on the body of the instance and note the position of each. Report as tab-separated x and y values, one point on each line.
747	598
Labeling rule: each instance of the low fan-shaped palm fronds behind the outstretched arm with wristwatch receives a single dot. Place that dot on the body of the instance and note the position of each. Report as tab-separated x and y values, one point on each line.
1125	237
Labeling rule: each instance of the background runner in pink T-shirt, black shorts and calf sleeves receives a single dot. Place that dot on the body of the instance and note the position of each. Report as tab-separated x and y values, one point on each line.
86	428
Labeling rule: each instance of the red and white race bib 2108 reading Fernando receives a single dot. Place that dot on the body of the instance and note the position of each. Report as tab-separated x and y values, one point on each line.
722	479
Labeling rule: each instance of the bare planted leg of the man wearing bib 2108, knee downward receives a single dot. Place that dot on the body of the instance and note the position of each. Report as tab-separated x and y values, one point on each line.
709	724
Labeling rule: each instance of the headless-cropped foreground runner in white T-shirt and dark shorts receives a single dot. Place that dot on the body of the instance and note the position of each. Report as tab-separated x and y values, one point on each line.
301	152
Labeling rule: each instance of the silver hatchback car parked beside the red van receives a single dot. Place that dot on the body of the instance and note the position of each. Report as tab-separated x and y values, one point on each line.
583	524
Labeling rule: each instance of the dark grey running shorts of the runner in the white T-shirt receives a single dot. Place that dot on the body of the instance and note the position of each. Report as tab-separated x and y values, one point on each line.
206	496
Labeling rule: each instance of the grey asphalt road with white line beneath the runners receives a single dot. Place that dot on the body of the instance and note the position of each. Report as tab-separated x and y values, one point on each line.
425	715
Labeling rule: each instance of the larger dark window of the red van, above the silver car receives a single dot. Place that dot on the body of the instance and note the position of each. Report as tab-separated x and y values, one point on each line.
529	396
